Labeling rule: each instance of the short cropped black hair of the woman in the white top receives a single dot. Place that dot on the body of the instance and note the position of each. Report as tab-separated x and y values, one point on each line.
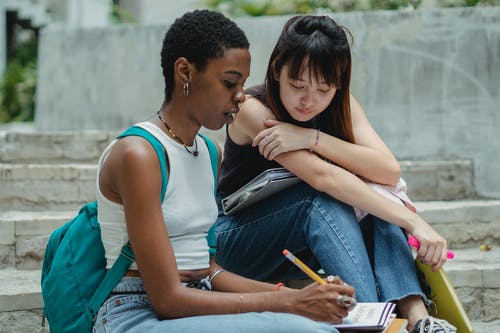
198	36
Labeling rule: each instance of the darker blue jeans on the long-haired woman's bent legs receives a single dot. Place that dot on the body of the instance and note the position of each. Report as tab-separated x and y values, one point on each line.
372	256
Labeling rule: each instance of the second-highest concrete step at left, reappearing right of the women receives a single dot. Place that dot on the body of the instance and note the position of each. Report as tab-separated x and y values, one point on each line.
63	185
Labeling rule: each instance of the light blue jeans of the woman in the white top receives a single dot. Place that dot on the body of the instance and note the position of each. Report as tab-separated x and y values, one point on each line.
126	311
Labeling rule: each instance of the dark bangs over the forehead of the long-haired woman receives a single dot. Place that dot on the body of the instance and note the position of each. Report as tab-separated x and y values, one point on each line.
324	63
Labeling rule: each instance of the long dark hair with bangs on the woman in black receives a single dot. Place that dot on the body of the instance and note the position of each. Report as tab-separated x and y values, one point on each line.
322	45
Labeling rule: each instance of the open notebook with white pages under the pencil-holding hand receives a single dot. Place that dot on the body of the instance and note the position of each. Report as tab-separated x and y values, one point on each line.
368	317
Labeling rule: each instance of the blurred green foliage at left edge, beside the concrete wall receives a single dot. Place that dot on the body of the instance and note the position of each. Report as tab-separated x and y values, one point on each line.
18	84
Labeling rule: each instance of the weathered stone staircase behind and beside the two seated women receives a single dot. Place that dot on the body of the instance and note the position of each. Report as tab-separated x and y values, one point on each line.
46	177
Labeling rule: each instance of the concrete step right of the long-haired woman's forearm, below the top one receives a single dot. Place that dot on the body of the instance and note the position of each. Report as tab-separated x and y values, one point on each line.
464	223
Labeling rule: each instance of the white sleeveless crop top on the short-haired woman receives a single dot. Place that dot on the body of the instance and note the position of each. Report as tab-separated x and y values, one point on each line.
189	208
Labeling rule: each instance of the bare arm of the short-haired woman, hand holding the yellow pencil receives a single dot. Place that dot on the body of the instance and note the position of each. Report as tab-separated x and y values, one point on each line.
132	174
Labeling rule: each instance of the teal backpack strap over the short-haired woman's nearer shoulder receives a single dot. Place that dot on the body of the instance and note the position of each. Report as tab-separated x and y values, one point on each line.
126	257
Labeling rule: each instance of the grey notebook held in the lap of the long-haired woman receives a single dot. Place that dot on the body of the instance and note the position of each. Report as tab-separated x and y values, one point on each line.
267	183
